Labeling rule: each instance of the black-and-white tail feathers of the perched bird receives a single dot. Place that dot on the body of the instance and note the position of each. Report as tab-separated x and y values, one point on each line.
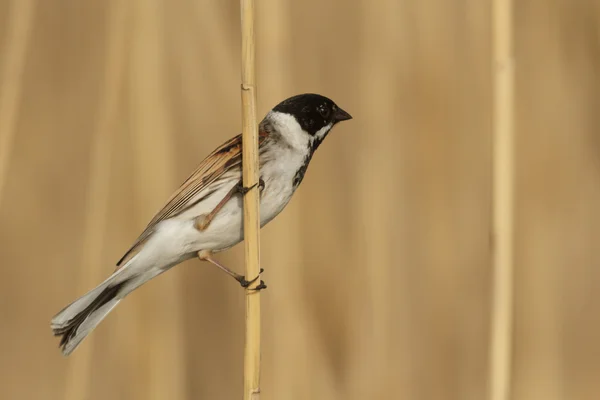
79	318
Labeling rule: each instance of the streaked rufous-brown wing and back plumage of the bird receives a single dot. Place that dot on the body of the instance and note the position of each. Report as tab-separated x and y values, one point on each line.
223	159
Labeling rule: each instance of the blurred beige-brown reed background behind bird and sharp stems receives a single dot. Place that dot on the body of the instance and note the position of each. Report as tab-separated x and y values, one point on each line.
379	270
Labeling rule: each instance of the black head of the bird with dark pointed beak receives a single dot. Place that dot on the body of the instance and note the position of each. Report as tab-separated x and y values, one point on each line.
312	111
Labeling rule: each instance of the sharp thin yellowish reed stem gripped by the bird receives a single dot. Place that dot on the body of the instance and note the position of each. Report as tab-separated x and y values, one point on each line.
251	205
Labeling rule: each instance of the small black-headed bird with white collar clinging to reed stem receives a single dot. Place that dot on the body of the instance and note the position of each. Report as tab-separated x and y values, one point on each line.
204	215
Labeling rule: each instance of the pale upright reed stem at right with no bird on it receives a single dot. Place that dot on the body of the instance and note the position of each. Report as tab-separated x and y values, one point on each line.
503	175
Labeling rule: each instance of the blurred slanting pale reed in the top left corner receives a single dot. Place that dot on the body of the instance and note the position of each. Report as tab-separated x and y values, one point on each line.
18	29
